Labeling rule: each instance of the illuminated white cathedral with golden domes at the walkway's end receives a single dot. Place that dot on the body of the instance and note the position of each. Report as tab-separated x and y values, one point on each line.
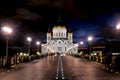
59	40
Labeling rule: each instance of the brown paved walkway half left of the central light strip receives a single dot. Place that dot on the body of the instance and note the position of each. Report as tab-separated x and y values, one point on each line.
42	69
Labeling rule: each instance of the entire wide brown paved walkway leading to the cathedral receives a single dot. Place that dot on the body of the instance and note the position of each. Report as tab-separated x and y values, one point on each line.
58	68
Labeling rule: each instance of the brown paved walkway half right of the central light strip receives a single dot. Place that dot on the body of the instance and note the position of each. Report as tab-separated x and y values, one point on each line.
78	69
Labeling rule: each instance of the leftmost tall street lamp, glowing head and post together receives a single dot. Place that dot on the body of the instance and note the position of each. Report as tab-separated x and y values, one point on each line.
7	31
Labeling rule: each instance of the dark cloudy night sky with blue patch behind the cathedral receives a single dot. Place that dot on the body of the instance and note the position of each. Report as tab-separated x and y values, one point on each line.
35	17
